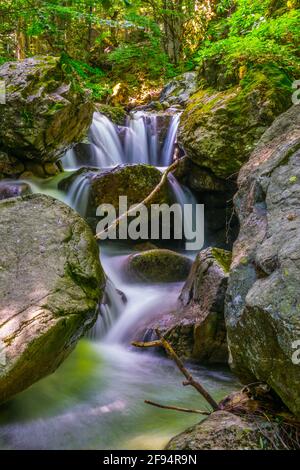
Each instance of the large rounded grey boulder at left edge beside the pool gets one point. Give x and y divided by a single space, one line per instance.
51 282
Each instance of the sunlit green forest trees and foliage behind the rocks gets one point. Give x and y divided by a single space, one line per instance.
141 44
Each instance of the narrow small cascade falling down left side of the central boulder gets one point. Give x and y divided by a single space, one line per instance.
78 194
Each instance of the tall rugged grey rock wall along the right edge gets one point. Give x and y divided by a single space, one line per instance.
262 308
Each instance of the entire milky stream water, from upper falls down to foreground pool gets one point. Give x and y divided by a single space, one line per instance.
95 400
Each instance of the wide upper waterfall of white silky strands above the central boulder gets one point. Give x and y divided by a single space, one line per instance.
137 142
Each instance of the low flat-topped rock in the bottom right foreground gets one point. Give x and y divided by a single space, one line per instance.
225 431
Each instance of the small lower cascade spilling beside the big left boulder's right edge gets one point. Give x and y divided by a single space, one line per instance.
110 311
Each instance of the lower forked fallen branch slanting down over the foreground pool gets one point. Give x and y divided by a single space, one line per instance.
190 380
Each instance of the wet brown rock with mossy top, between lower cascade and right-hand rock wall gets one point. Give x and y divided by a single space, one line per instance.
196 329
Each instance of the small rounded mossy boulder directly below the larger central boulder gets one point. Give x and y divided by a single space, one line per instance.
158 265
